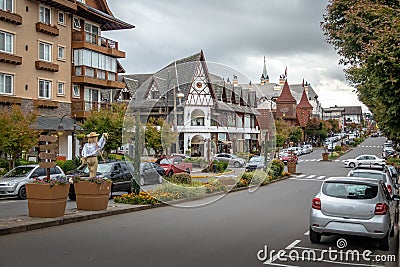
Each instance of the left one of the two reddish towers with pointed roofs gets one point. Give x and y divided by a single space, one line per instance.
286 104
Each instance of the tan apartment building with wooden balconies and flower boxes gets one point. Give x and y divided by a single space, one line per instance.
54 60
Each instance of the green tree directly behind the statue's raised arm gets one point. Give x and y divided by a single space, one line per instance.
107 121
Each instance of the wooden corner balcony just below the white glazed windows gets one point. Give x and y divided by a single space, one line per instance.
96 77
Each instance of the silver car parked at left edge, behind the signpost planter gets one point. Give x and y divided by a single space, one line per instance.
13 182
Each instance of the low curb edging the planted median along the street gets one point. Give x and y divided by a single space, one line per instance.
25 223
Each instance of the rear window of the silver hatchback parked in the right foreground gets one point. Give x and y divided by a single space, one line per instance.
350 190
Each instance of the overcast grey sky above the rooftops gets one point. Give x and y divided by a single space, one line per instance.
237 34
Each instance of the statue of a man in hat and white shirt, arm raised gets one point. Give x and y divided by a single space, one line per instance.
91 150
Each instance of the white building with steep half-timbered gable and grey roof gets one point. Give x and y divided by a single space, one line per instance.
210 115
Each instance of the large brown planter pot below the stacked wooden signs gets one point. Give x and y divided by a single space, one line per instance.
47 198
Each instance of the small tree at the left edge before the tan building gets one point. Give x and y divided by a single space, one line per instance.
16 133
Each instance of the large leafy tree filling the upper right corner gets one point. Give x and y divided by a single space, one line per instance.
366 34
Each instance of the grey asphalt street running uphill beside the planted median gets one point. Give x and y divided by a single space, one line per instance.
241 229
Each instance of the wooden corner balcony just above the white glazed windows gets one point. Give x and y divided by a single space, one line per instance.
81 40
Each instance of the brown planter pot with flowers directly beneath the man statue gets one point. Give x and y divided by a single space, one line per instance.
92 193
